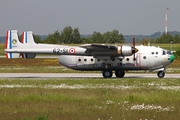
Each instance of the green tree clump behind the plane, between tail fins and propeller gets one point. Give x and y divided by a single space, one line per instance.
72 36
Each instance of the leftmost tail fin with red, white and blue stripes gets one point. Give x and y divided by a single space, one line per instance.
12 42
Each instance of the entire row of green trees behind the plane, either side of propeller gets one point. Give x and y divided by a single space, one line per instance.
72 36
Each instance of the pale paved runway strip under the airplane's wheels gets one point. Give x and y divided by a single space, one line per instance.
79 75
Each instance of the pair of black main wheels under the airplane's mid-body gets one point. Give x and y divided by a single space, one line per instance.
109 73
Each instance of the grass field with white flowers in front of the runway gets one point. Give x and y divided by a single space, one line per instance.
87 99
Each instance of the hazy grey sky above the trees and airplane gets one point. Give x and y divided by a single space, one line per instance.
127 16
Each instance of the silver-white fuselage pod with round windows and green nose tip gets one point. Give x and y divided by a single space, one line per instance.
147 58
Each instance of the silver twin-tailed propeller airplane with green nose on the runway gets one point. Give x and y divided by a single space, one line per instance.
93 57
